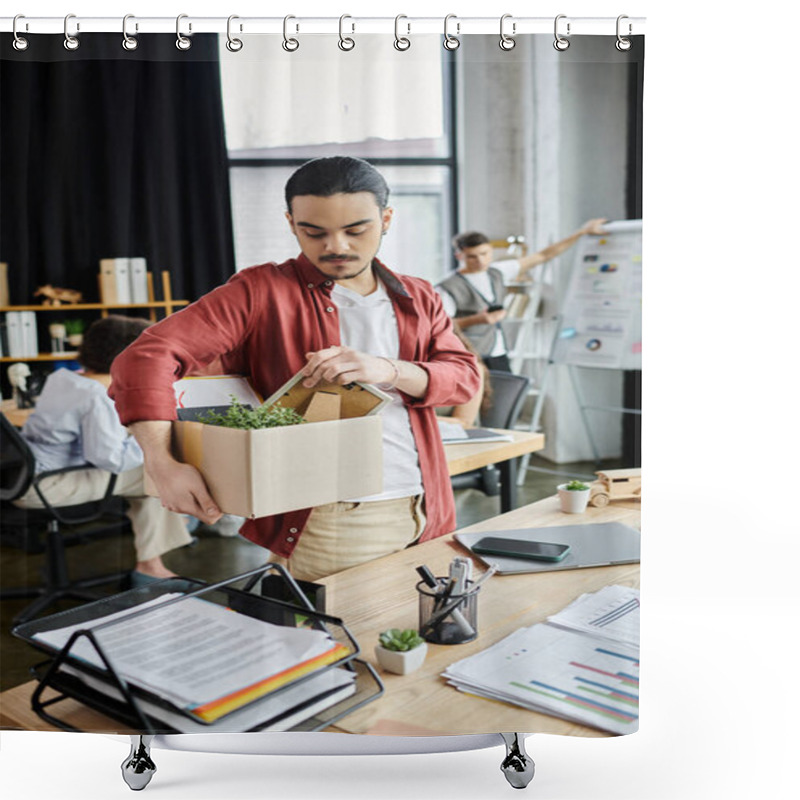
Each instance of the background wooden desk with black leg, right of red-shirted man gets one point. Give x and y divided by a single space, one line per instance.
466 457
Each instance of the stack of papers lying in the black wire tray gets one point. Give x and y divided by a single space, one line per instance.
209 664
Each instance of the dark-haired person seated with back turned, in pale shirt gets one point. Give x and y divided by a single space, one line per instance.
75 423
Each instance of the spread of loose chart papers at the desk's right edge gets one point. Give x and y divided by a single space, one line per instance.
582 664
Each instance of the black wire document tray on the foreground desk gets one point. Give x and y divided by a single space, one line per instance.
51 674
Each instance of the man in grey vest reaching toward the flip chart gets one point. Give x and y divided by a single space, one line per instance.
474 294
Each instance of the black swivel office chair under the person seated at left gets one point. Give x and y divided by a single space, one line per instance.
17 475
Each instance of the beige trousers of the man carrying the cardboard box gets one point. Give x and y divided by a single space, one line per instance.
341 535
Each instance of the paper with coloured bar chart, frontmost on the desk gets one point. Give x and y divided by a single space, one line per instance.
566 673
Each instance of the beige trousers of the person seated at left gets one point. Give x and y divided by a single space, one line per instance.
155 530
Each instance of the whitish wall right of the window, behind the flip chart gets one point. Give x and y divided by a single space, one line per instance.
543 148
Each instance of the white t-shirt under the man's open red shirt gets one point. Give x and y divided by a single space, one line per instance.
368 323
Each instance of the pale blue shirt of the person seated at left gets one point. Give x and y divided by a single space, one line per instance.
75 423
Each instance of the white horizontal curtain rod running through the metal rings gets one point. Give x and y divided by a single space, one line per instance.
453 25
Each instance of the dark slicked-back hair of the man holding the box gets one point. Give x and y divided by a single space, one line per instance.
324 177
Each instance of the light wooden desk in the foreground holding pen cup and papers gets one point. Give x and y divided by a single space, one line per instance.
381 594
